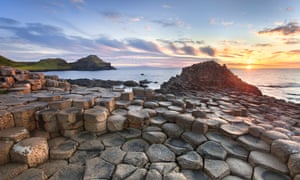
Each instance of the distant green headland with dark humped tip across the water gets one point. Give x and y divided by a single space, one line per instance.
89 63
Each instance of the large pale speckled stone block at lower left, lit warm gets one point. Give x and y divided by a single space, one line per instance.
32 151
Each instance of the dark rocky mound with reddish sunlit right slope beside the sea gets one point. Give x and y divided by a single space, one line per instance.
208 76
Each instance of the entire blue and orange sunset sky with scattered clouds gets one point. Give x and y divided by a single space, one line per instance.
164 33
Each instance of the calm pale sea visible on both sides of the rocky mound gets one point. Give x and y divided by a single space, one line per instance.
279 83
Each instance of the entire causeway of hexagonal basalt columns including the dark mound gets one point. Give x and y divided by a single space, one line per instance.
200 126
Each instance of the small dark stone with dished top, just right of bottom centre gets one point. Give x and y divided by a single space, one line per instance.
178 146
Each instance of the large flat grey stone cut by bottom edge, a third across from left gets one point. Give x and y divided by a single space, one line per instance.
98 168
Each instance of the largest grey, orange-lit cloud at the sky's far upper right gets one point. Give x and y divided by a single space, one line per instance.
291 28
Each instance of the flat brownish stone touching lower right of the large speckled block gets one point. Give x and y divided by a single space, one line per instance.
52 166
